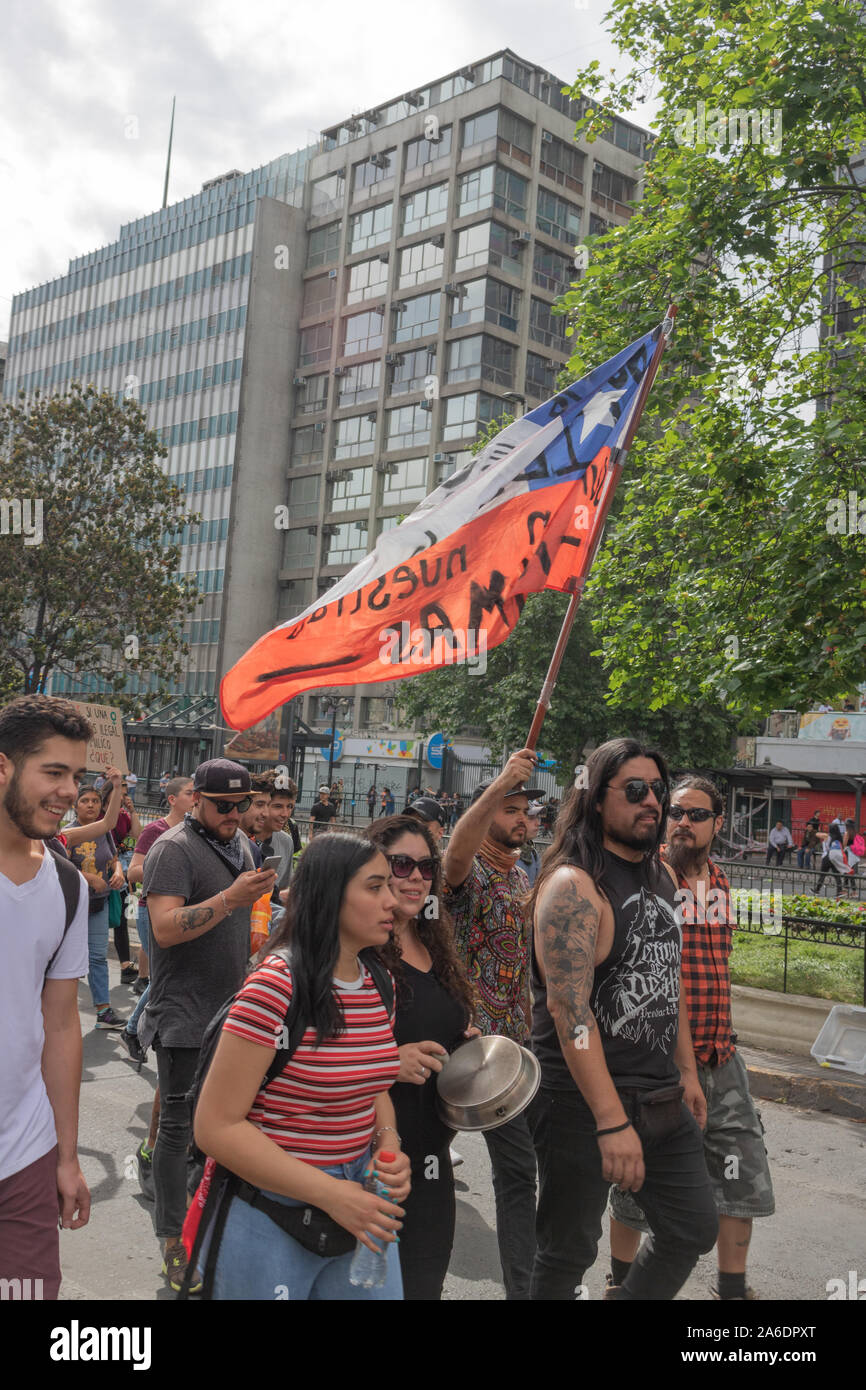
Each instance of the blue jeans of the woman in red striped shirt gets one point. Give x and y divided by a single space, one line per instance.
258 1260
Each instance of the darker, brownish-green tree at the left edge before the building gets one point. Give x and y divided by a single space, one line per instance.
90 558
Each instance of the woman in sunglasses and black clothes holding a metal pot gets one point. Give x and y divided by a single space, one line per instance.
434 1014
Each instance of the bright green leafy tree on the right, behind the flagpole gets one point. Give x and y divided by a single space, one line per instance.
730 573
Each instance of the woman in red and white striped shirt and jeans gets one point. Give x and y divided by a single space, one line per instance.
309 1138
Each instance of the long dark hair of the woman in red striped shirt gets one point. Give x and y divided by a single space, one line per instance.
311 926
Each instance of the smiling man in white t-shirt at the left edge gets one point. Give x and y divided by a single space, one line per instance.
44 953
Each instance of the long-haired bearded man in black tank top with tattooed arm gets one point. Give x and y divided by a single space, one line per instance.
621 1100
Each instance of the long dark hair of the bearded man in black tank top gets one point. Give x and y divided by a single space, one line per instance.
579 833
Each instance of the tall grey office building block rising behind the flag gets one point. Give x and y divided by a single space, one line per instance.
336 348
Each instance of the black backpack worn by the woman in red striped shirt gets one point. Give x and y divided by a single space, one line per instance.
224 1182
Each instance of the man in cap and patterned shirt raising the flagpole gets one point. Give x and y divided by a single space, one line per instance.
486 892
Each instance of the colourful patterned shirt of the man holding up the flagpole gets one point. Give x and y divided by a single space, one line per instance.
493 933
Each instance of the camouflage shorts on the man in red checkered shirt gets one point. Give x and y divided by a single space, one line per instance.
733 1147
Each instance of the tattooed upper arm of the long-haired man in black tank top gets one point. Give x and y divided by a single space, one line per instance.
568 926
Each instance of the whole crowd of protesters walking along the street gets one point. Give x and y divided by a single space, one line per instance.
301 1007
